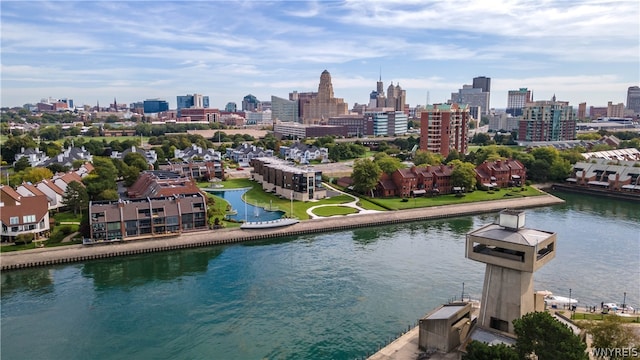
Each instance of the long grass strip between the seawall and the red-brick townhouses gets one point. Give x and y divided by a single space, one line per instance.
396 203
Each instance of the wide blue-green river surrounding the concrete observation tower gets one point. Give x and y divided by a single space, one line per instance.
336 295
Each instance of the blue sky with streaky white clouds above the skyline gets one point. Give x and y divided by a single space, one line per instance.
135 50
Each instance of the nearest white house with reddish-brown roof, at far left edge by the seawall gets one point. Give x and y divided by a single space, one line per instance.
22 214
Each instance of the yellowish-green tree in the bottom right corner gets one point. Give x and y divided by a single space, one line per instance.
611 334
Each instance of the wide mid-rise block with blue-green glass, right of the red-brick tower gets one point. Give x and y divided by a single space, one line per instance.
547 121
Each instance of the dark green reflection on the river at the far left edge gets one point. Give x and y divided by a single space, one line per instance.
36 279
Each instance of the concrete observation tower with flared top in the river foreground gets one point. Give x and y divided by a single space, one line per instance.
512 254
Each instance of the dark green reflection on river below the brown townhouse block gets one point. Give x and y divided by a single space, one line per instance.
134 271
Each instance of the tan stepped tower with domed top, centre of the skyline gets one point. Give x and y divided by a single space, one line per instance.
324 105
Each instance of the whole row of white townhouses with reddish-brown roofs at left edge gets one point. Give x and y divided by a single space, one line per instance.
25 209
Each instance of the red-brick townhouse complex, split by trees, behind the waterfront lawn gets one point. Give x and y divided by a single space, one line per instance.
420 181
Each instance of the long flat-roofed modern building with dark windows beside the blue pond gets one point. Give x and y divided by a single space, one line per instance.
286 180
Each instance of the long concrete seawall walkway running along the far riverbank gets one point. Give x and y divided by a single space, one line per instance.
78 253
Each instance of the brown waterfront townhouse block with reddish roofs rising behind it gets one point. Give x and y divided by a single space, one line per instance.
160 202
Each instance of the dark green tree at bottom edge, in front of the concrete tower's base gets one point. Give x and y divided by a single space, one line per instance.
548 338
